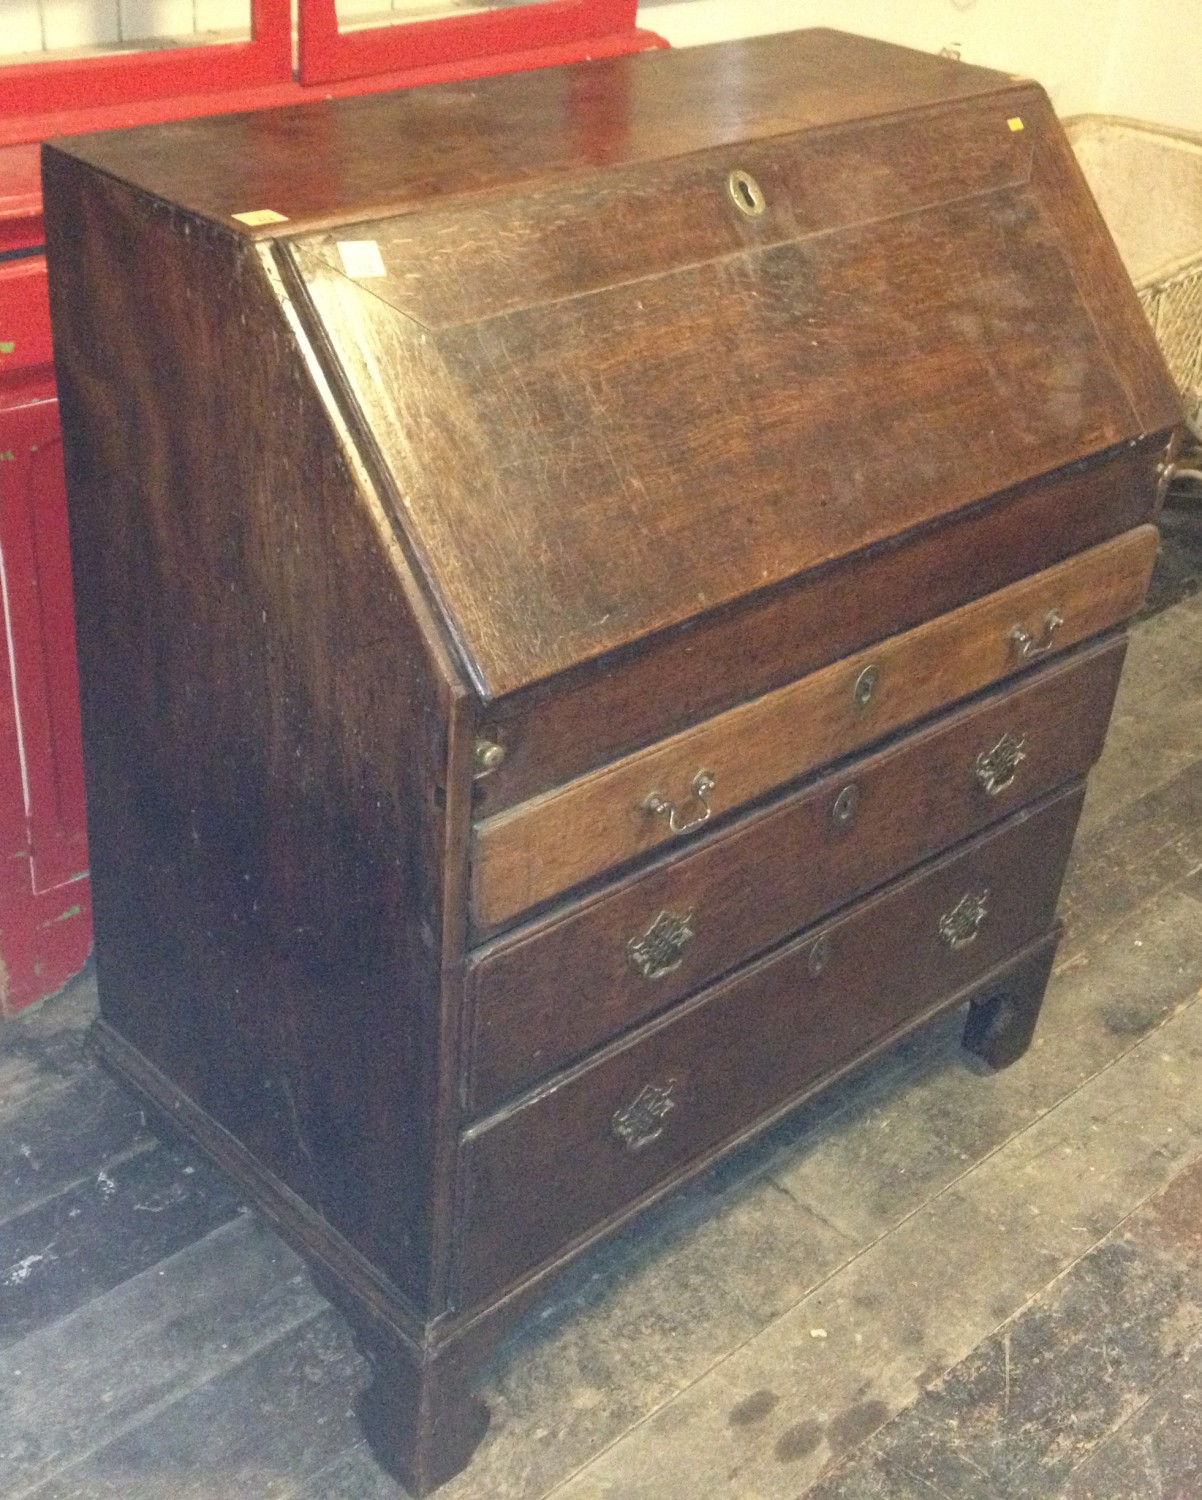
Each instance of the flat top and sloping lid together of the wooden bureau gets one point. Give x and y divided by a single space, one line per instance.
520 356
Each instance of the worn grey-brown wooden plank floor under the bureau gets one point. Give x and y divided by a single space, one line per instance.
928 1285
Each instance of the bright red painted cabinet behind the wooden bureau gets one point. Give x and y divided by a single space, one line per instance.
46 901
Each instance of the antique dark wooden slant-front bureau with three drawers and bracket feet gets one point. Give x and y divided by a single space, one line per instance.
598 595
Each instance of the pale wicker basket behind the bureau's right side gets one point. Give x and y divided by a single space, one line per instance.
1149 185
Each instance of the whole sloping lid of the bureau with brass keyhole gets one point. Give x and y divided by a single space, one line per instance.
694 487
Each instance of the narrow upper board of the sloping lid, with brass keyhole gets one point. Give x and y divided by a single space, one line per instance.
487 259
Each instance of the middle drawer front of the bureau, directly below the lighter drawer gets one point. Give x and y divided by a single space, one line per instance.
669 931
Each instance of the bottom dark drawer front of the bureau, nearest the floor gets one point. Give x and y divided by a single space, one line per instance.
599 1139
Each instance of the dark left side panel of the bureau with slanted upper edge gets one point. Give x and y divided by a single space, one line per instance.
266 725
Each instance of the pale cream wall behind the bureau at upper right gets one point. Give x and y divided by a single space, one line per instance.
1092 56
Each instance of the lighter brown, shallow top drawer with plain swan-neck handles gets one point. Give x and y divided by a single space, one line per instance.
542 848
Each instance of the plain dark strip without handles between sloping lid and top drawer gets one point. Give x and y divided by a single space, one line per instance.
603 712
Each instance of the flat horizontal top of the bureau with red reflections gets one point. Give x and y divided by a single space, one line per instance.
340 161
